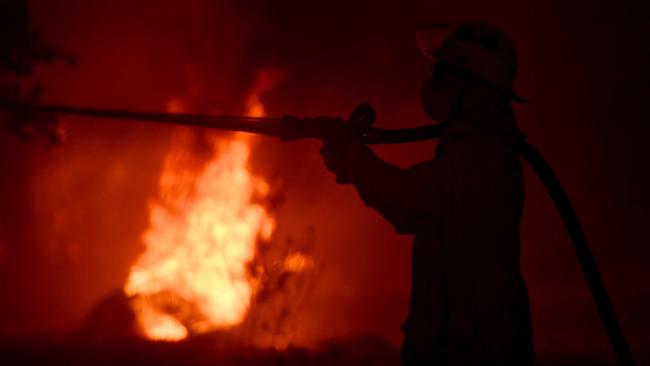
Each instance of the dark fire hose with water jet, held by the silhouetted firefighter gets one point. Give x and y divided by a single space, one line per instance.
361 120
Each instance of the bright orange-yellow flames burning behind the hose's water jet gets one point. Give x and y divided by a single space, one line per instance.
203 229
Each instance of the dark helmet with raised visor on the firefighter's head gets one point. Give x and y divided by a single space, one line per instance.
479 48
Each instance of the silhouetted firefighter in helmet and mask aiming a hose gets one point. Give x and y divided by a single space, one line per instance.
468 303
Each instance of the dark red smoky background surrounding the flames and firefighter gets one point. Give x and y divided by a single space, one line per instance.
71 215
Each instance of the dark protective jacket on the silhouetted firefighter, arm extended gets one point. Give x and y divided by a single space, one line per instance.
468 304
